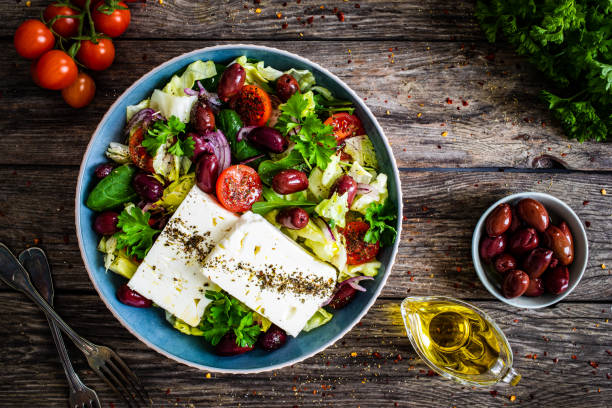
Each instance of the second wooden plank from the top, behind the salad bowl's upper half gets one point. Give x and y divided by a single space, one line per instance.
503 125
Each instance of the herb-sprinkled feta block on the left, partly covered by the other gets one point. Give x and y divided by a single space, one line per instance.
171 273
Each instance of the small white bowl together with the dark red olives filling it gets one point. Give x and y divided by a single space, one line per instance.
529 250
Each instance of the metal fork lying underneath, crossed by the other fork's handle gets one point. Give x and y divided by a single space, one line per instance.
35 262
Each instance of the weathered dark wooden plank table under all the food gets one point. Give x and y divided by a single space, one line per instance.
467 128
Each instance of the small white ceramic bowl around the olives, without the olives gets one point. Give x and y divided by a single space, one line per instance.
558 211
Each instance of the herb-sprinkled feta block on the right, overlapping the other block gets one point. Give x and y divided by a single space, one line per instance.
270 273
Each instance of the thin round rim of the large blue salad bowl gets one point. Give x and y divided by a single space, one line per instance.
355 99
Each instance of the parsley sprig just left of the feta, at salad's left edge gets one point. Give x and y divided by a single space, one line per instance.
136 235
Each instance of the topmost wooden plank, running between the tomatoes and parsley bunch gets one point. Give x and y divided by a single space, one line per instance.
235 19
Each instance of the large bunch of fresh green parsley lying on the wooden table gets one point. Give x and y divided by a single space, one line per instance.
570 41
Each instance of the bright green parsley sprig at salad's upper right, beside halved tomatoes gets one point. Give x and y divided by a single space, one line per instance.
314 140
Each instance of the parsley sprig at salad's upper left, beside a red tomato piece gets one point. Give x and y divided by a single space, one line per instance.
162 132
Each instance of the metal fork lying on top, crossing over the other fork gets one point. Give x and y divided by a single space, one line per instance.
105 362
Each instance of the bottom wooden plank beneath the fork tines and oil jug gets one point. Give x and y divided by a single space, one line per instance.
574 334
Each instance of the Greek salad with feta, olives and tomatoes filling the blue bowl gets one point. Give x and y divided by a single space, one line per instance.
246 202
